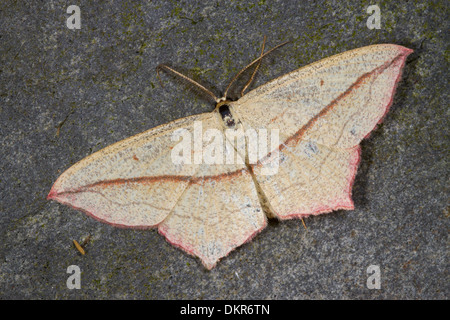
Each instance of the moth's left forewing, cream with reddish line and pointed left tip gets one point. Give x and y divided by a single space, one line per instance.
134 182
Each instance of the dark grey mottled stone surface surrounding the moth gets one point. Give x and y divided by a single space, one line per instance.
67 93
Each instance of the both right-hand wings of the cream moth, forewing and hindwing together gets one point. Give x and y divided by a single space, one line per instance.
322 112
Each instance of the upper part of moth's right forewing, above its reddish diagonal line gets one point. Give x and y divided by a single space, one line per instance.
292 100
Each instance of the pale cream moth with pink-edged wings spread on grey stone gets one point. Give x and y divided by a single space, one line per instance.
322 112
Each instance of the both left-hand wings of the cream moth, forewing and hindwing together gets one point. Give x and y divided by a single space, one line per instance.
205 208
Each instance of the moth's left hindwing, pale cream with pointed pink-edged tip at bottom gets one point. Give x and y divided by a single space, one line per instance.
215 214
